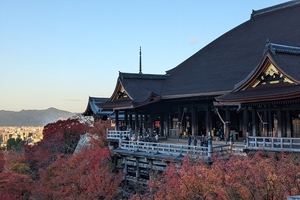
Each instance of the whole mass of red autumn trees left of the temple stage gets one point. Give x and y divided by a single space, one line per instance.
51 169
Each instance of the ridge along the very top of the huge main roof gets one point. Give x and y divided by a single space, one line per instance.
258 13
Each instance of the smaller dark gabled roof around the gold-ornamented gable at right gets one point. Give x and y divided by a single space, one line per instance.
287 60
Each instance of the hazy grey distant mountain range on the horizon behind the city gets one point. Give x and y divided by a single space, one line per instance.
32 117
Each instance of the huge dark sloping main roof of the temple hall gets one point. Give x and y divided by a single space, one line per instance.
231 57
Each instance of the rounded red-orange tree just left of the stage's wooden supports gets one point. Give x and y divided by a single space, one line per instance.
85 175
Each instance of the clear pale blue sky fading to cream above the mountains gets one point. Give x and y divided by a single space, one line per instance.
57 53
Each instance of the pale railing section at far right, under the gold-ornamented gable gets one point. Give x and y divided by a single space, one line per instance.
273 144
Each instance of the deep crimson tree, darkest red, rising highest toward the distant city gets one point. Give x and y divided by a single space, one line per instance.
58 138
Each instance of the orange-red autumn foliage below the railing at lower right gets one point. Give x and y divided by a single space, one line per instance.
264 175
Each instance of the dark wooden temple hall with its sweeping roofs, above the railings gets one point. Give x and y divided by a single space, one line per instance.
246 80
